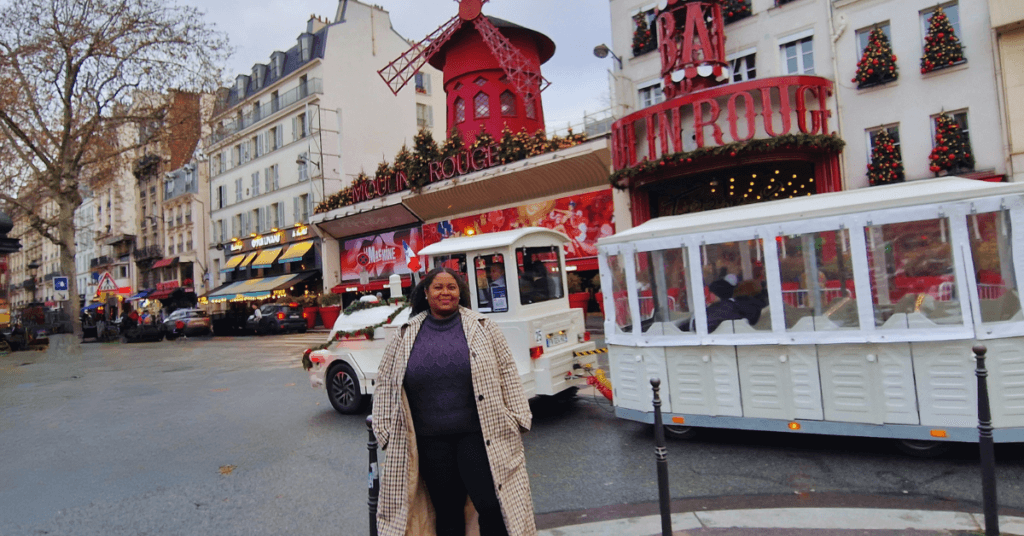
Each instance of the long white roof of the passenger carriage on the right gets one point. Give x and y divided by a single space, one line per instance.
837 203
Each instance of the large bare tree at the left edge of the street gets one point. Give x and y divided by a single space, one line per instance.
73 75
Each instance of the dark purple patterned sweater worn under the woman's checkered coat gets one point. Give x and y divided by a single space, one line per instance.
439 381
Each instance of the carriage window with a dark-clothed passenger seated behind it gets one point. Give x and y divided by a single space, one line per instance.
734 275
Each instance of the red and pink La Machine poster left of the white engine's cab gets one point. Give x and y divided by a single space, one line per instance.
377 257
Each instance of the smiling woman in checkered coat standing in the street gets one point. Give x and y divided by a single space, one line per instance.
449 410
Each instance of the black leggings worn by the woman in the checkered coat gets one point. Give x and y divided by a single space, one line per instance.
453 467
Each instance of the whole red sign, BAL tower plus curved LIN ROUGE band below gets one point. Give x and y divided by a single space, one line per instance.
700 108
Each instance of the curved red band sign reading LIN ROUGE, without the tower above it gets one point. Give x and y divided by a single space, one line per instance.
737 113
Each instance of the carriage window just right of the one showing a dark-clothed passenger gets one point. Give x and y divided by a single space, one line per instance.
818 281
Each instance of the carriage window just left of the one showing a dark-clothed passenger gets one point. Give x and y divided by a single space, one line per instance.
662 283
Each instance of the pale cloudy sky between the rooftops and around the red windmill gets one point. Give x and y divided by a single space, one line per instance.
579 80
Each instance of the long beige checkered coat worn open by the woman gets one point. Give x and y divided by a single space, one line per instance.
405 507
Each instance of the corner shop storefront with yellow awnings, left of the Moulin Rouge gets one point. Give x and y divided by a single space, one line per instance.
272 266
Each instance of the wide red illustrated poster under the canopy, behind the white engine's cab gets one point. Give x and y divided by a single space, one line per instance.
584 219
